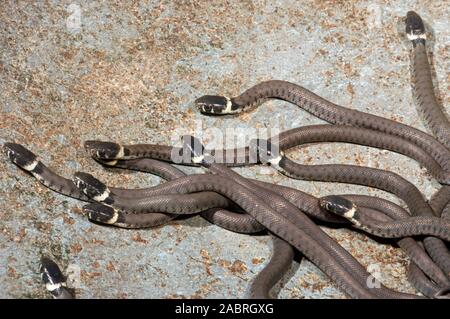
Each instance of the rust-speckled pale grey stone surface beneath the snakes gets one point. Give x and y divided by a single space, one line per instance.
72 71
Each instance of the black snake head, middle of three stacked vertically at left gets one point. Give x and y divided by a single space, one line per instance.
92 187
